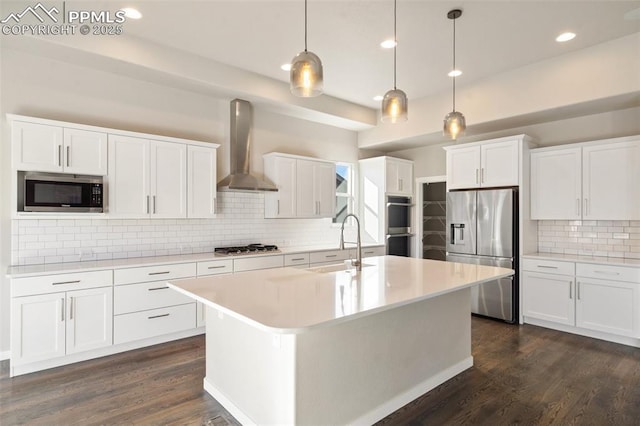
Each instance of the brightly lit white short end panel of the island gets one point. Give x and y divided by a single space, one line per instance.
250 371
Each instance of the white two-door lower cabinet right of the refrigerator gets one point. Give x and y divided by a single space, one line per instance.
600 298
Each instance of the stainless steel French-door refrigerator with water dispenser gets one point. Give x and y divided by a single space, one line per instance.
482 228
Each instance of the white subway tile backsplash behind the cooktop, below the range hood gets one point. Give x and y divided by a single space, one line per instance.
240 221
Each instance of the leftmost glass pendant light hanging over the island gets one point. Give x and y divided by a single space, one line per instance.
306 70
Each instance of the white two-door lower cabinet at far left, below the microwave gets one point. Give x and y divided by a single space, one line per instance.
51 325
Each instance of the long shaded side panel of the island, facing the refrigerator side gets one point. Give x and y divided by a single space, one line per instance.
360 371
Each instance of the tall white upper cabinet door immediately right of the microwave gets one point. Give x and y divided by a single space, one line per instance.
128 180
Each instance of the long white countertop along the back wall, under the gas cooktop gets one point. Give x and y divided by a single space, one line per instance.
23 271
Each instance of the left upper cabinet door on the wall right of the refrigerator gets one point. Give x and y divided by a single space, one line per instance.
556 184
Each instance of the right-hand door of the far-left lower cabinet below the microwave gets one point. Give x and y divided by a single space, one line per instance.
89 319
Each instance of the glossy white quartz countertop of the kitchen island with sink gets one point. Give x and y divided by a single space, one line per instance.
290 300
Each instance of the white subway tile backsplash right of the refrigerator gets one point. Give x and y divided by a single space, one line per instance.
609 238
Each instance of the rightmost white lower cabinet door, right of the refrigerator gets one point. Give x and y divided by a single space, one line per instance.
608 306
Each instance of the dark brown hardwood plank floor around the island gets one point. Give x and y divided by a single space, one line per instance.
522 375
